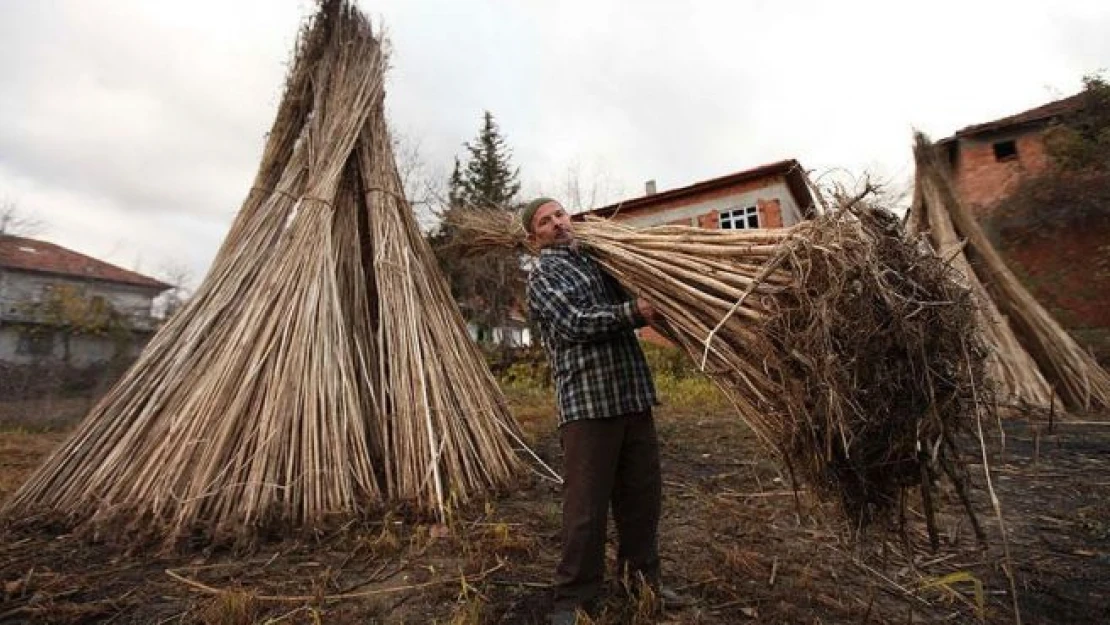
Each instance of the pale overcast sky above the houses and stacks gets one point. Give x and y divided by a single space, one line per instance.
133 128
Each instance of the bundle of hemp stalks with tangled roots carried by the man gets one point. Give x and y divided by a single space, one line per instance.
847 349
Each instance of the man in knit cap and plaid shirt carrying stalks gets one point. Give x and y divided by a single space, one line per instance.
606 397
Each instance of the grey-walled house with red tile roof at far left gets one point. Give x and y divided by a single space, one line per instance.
37 277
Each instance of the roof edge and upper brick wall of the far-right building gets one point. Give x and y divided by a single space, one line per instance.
990 159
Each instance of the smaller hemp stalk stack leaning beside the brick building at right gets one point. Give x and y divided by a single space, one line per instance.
1033 358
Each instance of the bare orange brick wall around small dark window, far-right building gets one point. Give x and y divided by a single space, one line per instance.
983 180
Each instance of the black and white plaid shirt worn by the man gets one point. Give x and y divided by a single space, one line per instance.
588 325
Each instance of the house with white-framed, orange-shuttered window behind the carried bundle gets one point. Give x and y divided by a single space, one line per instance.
772 196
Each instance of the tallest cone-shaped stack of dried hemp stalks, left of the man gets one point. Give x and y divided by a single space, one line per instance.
321 371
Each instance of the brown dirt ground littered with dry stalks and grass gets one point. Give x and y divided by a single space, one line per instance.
734 538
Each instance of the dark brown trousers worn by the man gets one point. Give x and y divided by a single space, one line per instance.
609 461
